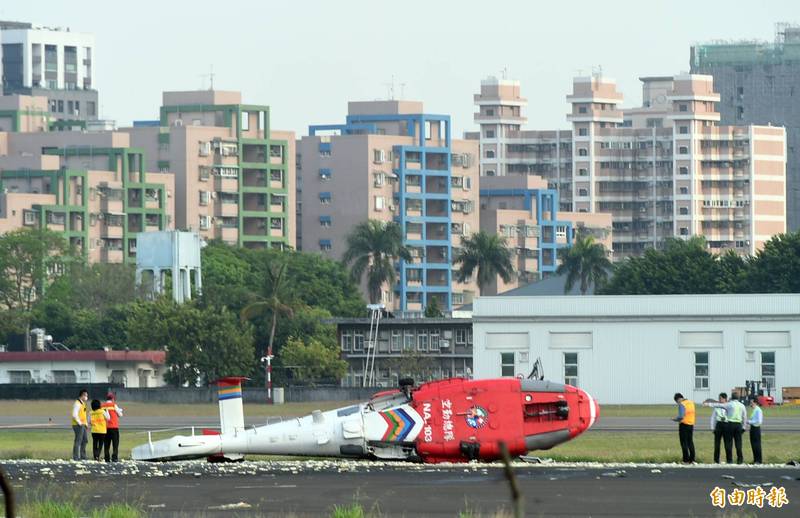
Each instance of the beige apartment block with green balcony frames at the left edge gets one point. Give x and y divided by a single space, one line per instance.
90 187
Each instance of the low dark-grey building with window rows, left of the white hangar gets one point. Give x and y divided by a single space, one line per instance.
424 349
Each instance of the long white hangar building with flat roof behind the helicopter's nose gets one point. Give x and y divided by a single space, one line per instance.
642 349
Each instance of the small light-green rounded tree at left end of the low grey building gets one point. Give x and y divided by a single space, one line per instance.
312 361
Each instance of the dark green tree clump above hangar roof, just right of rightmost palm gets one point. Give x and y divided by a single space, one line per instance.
681 267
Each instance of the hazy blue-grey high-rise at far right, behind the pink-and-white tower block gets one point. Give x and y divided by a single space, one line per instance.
759 83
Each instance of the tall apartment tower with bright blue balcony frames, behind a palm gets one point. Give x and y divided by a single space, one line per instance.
391 161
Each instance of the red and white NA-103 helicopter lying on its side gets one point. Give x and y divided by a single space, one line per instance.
452 420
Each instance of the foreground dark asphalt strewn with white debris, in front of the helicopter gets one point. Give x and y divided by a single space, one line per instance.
313 488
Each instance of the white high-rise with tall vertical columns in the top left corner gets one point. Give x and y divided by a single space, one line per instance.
54 63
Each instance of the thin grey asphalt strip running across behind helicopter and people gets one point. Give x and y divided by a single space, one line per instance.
611 424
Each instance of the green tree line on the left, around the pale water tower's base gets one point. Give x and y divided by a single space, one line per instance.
243 309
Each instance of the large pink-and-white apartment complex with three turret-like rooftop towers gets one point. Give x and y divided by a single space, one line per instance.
665 169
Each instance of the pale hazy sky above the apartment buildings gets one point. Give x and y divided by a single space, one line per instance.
306 59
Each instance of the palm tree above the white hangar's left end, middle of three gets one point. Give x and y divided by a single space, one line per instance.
486 253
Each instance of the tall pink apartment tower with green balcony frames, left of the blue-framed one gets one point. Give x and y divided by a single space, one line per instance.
234 175
